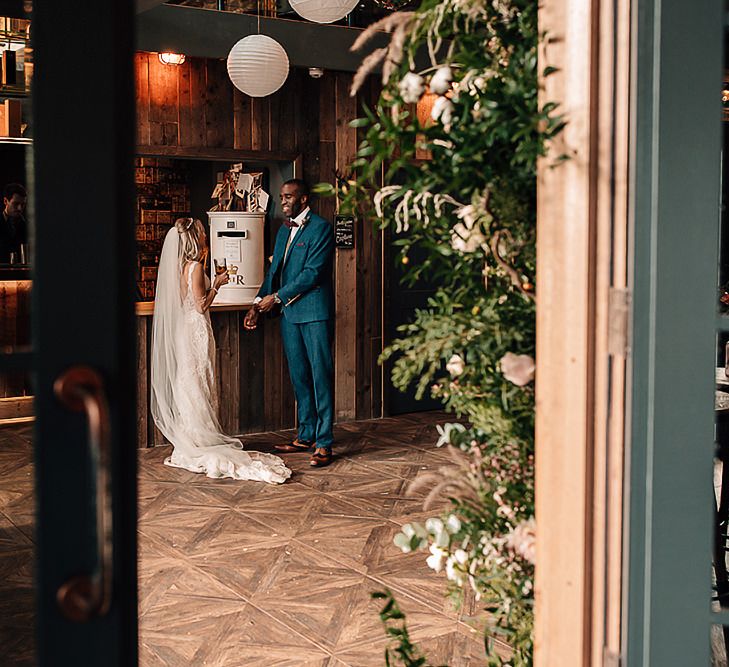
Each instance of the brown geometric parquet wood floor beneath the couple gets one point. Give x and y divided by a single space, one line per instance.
241 573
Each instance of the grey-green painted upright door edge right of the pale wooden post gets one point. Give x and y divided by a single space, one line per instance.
676 143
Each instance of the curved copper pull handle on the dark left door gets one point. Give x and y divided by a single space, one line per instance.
82 597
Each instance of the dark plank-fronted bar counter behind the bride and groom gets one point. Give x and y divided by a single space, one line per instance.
253 380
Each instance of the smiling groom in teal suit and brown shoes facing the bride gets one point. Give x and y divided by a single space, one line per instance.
299 280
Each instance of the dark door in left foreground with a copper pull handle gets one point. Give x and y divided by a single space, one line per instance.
83 358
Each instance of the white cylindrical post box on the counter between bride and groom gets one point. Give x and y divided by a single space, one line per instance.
236 246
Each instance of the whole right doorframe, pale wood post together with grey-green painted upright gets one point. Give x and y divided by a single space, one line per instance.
623 564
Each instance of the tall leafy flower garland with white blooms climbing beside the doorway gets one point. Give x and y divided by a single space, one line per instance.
470 209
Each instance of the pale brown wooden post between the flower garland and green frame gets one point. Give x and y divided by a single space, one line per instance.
581 335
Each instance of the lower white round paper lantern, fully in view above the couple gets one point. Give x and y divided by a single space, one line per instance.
258 65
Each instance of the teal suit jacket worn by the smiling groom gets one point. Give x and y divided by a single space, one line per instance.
303 279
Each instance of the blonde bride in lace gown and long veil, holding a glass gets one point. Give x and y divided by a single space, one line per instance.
184 398
